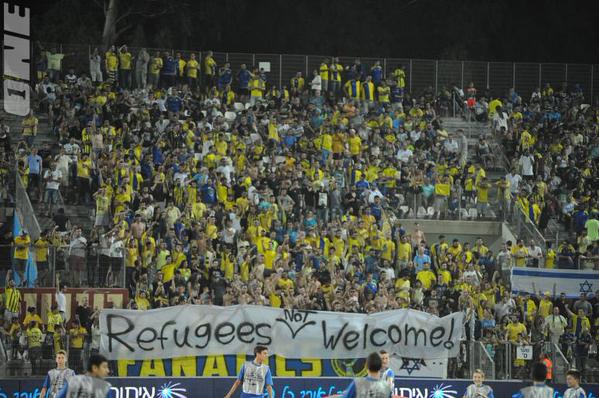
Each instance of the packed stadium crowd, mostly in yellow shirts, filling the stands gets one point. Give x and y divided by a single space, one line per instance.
214 186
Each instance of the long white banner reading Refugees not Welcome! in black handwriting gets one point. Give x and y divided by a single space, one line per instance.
195 330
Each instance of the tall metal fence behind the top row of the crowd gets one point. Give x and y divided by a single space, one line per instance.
421 75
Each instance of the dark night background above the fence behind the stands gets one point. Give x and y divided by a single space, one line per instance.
535 31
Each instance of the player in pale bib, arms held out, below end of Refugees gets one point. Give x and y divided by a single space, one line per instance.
254 377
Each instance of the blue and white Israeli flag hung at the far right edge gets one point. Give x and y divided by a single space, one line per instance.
570 282
